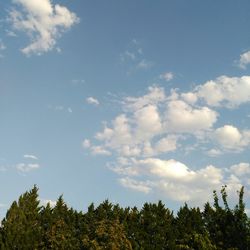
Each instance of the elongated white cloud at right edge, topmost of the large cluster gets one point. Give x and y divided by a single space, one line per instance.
225 91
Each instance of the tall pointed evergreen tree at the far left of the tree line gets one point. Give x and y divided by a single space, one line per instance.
21 227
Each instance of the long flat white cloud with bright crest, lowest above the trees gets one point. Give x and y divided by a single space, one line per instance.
177 181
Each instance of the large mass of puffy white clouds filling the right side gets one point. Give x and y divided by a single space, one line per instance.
146 136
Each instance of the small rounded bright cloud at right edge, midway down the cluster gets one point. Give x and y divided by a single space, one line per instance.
231 138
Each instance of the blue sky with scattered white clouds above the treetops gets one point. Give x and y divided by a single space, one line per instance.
131 101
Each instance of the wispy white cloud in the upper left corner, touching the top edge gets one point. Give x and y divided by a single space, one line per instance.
43 22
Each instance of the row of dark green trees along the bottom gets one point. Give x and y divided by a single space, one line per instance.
28 225
